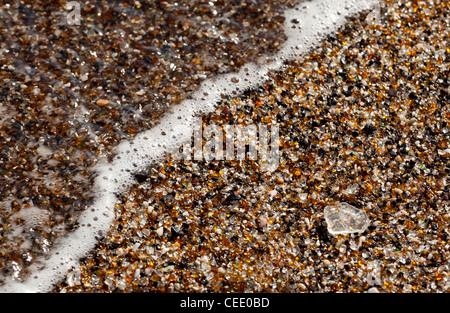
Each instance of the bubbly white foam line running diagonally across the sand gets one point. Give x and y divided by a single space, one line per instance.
315 20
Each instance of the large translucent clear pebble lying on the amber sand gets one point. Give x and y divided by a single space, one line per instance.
342 218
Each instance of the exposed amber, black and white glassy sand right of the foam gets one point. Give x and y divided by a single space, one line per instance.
363 119
